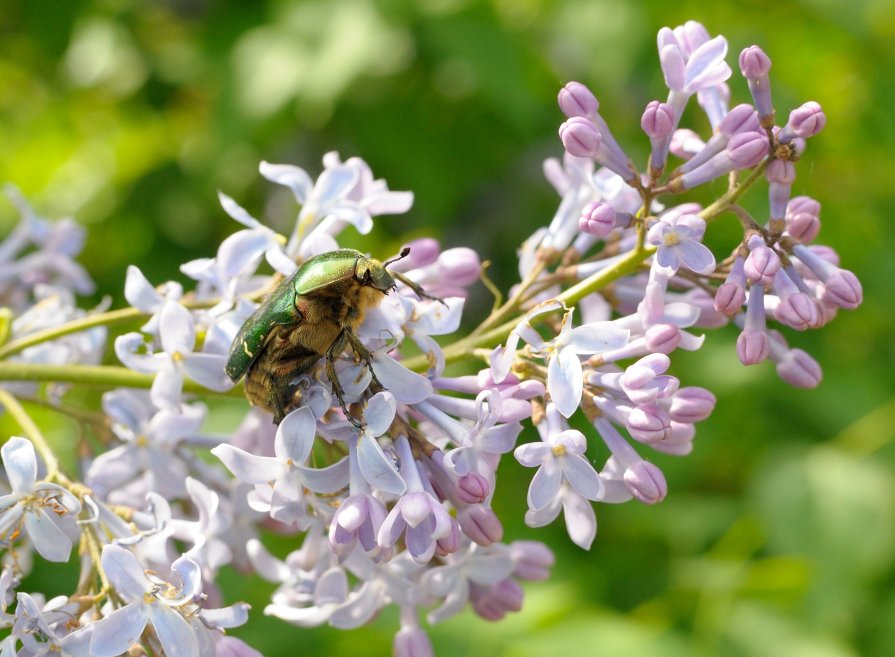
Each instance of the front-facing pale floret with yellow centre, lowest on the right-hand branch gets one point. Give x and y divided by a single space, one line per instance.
560 458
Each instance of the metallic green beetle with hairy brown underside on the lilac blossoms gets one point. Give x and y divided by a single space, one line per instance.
312 314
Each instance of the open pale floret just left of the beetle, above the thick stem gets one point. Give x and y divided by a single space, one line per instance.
177 333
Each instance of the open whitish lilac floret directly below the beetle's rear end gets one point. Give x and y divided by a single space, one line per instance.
281 480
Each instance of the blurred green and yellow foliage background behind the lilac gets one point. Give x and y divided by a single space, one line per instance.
778 535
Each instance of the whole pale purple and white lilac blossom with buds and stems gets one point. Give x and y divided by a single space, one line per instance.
392 506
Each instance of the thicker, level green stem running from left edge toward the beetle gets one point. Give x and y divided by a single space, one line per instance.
107 376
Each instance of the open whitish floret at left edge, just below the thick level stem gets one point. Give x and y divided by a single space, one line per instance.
38 507
